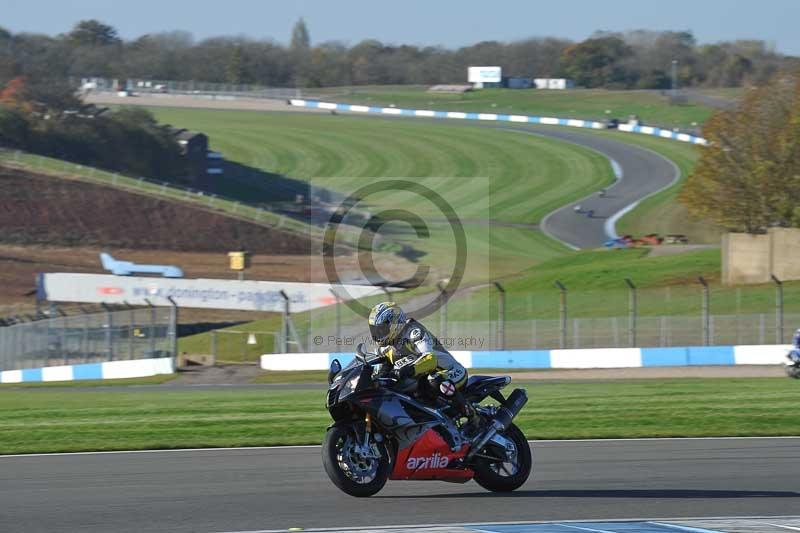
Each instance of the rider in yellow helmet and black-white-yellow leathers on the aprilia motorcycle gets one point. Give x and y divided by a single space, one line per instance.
415 353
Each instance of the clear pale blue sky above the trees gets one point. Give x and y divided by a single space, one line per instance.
436 22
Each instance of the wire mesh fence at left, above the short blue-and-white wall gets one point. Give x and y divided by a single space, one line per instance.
90 338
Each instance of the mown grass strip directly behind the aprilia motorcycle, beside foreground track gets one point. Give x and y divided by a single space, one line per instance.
61 421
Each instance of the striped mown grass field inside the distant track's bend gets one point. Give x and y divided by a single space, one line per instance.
526 173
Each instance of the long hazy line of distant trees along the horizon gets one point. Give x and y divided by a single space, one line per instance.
638 59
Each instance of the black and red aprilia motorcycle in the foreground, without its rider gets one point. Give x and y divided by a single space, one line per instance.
381 432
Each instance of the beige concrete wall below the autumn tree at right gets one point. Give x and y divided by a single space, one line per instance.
754 258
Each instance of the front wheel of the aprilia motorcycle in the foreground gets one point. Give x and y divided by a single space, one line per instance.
356 471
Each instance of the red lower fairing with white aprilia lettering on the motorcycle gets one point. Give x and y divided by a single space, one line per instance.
429 457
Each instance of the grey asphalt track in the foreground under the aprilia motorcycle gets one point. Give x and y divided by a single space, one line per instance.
252 489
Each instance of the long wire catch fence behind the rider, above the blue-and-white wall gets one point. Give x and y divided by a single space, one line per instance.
692 314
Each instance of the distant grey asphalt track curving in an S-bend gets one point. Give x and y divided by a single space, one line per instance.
643 173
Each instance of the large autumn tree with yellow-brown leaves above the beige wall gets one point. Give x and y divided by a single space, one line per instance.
748 177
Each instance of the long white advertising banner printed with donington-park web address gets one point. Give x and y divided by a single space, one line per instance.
206 293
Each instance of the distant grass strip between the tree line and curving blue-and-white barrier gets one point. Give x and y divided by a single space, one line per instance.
597 104
